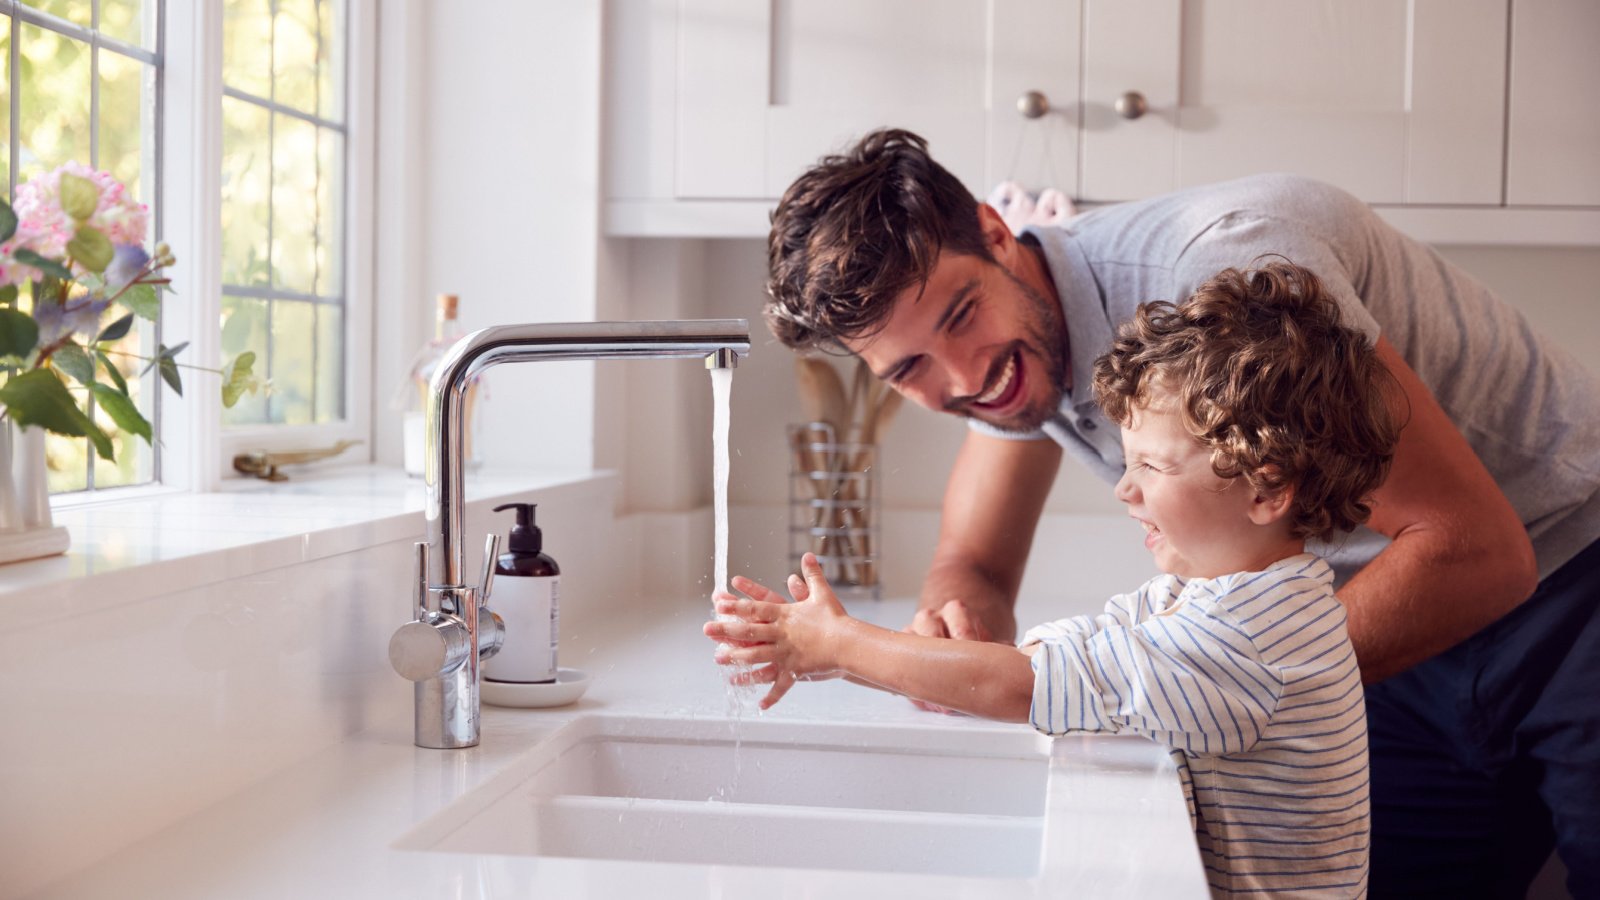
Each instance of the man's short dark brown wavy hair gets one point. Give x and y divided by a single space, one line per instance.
858 230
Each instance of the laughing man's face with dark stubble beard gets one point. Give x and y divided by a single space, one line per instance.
977 340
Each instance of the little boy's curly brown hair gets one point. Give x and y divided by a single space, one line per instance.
1263 374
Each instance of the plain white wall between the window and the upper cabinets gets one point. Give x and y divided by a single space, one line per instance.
490 172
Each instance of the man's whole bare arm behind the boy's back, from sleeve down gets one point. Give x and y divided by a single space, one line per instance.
1460 556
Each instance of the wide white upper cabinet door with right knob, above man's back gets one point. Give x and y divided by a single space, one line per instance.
1396 102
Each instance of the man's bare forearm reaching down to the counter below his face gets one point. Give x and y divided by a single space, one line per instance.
993 502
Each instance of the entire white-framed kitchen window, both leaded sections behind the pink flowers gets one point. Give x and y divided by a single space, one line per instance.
246 127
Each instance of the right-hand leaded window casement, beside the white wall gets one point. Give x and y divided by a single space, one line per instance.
287 163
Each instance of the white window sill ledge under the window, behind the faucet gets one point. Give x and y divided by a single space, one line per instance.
162 544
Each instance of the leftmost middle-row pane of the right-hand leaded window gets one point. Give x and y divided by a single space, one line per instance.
247 179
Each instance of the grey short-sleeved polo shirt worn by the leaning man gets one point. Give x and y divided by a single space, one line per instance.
1529 409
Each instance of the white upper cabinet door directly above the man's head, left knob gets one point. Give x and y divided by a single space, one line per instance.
767 87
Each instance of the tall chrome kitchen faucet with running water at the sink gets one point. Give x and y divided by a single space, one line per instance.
454 630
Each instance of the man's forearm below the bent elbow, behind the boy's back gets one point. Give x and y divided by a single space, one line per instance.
1426 593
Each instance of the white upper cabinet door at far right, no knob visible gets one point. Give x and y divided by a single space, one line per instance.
1554 150
